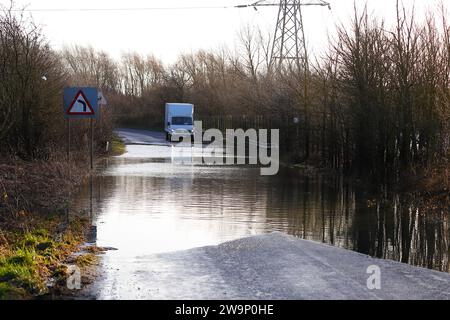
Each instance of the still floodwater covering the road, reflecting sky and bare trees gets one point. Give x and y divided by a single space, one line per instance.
148 201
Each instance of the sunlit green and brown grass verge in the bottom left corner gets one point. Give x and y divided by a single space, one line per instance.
30 258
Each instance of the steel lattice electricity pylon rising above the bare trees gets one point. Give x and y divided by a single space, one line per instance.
289 43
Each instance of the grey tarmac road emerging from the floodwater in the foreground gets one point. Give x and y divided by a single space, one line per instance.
271 266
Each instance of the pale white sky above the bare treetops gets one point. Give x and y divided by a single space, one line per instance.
166 33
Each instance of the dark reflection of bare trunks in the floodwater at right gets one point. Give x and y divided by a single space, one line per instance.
336 213
